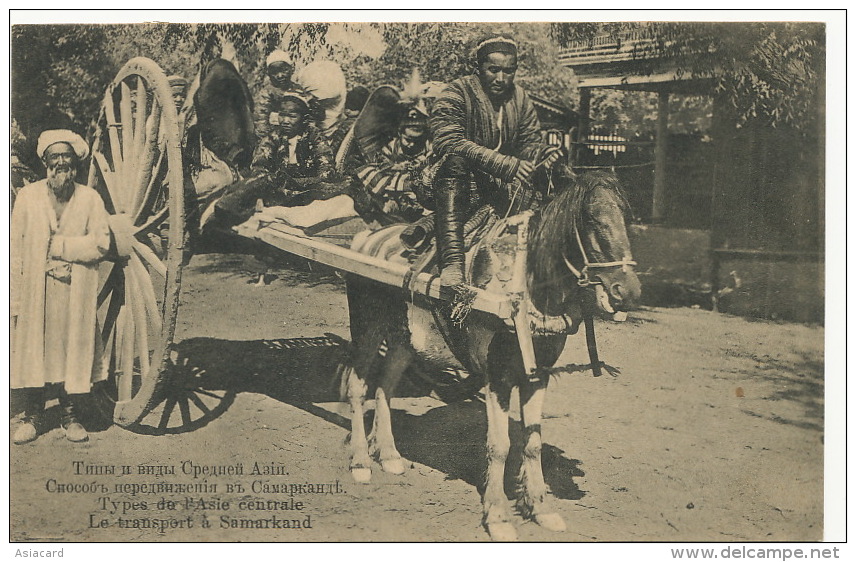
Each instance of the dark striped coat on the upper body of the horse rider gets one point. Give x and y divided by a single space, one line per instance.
463 122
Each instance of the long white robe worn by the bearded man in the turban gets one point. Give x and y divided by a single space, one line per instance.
72 354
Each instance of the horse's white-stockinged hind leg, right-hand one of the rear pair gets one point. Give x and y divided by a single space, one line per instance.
397 360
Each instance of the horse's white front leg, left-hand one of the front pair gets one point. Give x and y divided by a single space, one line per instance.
497 516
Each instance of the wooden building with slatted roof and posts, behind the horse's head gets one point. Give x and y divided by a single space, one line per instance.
764 185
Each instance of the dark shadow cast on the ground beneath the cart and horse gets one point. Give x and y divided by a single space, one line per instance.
304 372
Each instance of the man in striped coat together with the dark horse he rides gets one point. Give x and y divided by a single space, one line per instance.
556 267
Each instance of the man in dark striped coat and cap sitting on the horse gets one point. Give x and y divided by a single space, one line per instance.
486 134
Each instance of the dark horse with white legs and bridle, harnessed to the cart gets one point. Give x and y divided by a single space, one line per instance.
579 263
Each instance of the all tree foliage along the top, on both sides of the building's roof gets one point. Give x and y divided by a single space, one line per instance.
769 72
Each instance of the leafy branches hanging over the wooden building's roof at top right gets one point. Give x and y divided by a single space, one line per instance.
767 72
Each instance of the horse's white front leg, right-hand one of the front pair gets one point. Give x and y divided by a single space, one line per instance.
532 501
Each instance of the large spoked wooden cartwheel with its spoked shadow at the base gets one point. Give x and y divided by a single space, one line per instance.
137 168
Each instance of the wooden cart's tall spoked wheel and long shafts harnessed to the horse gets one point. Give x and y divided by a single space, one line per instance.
137 167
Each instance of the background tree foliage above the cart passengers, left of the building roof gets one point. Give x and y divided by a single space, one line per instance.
60 72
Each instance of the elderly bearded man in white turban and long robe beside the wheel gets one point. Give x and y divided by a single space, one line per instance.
59 233
